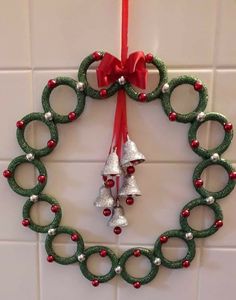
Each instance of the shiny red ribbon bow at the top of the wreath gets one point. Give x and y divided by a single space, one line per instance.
134 70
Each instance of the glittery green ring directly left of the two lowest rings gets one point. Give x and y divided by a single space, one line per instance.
60 259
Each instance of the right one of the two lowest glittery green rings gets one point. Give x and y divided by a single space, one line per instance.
143 280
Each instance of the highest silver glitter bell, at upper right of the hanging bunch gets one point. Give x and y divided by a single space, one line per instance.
131 154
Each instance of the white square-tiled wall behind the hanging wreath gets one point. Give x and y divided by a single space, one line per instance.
44 39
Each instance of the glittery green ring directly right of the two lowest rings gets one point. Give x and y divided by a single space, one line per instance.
178 263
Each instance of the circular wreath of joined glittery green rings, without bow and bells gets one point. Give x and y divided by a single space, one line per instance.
209 157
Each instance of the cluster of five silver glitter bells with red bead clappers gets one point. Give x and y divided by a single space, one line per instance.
123 168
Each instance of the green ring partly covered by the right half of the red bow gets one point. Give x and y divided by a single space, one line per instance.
159 64
